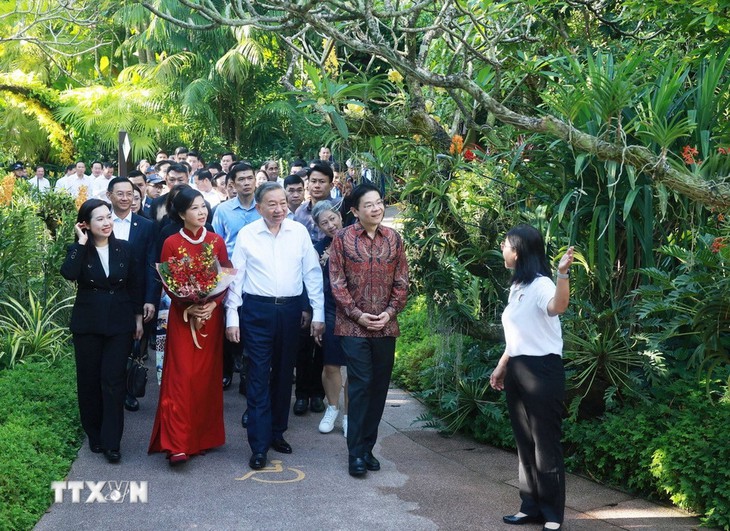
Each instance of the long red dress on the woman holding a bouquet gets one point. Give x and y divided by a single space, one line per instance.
189 415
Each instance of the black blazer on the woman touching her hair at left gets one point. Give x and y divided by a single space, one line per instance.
104 305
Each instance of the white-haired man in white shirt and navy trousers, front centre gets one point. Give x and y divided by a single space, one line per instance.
274 257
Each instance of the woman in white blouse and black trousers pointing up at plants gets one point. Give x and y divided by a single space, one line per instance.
531 372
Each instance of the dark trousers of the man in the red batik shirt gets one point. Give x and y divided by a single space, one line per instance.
369 366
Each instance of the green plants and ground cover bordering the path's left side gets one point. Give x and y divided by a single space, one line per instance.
39 427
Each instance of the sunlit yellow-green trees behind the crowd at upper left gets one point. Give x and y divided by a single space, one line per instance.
121 68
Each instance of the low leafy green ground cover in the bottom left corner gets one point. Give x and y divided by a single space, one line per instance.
40 434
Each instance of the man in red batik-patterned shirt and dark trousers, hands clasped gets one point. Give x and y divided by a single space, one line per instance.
369 278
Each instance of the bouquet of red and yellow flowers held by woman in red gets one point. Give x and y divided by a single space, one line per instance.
195 279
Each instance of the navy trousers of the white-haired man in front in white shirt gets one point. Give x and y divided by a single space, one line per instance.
271 344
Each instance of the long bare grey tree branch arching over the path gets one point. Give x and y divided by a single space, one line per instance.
360 30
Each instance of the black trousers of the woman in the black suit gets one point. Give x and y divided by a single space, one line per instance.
101 364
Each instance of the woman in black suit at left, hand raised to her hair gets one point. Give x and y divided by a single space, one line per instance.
106 317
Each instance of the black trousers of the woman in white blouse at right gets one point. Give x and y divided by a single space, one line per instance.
535 387
